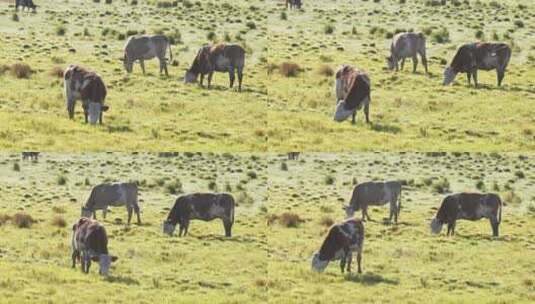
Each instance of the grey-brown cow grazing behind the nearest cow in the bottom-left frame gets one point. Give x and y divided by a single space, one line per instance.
117 194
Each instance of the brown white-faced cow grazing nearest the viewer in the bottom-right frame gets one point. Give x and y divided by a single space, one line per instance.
341 241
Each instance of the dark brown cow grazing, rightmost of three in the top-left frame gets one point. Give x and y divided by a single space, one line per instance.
218 58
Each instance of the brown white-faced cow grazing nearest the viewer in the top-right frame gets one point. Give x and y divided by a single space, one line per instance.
352 93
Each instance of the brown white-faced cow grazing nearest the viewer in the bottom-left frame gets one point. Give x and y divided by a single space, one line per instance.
90 243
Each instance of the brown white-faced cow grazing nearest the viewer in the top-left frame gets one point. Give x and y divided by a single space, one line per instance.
81 84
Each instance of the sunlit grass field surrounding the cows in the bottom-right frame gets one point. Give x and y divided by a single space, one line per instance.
403 263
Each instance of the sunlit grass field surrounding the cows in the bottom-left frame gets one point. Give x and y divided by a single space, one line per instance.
203 267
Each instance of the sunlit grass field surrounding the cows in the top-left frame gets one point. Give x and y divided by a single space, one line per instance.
149 112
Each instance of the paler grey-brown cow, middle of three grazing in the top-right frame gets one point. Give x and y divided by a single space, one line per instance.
407 45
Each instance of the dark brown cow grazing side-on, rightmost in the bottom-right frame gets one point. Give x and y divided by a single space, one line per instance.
468 206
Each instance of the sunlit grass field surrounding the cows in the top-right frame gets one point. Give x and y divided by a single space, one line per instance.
409 112
